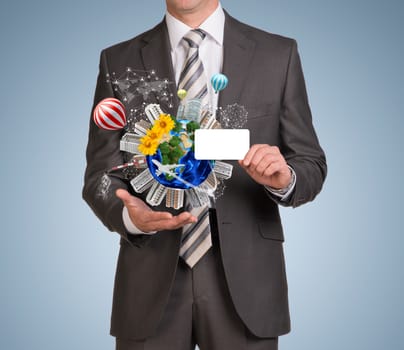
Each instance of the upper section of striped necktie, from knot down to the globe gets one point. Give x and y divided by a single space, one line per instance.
193 78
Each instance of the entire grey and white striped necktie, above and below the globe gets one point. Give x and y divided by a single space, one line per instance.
196 238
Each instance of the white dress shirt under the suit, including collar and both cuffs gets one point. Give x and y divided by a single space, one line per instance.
211 55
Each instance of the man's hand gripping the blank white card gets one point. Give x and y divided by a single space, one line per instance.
266 165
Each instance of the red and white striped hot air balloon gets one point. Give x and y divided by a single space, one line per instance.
109 114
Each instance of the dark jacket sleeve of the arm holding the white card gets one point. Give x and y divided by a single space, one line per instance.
299 143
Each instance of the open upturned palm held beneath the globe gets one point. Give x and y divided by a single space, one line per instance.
147 220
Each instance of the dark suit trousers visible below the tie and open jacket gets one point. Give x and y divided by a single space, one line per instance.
200 311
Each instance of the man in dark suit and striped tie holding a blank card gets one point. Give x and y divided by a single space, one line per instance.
214 278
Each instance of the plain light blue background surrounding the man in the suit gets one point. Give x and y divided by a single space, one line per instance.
344 251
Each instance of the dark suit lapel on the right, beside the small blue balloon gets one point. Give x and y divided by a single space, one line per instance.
237 55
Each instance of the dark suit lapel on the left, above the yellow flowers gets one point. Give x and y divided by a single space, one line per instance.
156 55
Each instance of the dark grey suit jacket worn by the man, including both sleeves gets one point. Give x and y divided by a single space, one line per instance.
266 77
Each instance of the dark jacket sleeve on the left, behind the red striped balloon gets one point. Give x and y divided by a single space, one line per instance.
102 154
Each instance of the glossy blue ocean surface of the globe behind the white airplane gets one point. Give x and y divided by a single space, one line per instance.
194 171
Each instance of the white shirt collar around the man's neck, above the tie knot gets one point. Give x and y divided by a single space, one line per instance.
213 26
